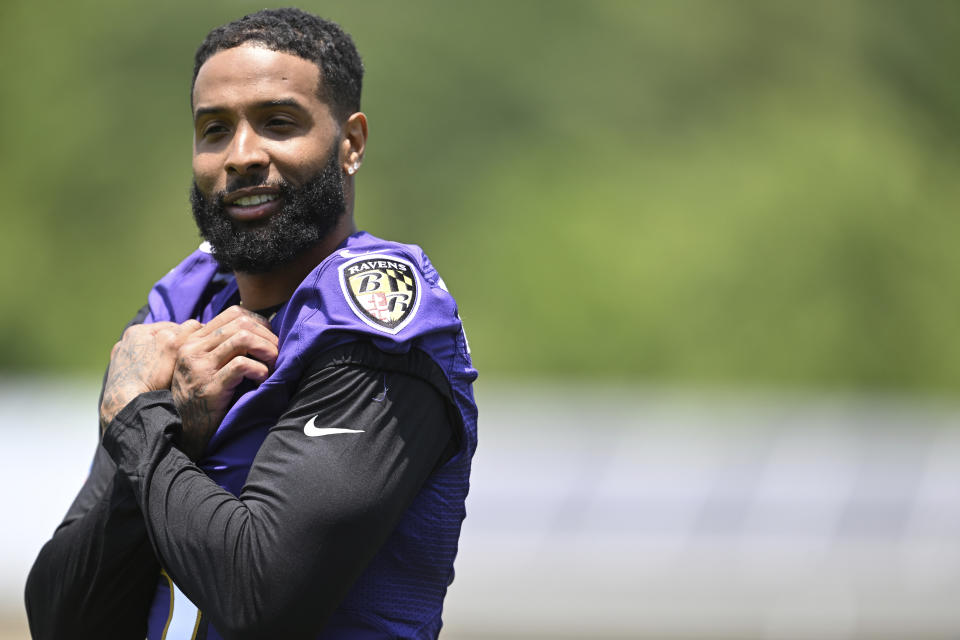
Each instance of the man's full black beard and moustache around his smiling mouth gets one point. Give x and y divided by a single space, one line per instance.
306 215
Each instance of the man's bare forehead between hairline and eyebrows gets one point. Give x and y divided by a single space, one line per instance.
251 73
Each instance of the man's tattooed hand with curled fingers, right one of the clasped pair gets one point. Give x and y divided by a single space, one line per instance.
237 344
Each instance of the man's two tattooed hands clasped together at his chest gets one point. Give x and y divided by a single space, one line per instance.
200 364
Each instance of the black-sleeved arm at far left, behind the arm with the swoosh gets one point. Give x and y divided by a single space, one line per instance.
96 575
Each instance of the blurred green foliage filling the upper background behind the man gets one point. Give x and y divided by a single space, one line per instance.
694 192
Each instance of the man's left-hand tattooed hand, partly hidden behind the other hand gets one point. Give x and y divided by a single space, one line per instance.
142 361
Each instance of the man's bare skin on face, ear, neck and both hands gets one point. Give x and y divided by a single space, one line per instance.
257 118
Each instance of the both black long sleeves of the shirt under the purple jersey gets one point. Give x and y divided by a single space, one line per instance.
277 558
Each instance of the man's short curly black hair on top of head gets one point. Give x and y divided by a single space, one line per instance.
302 34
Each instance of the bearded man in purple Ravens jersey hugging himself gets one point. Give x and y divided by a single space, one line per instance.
287 426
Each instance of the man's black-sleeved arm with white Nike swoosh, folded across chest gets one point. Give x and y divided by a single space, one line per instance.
277 559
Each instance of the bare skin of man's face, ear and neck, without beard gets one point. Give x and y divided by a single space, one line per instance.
240 136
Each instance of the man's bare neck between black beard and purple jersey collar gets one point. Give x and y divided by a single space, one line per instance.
262 290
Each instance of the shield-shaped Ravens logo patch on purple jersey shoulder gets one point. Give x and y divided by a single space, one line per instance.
383 291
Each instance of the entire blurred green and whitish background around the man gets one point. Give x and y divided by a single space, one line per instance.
704 252
